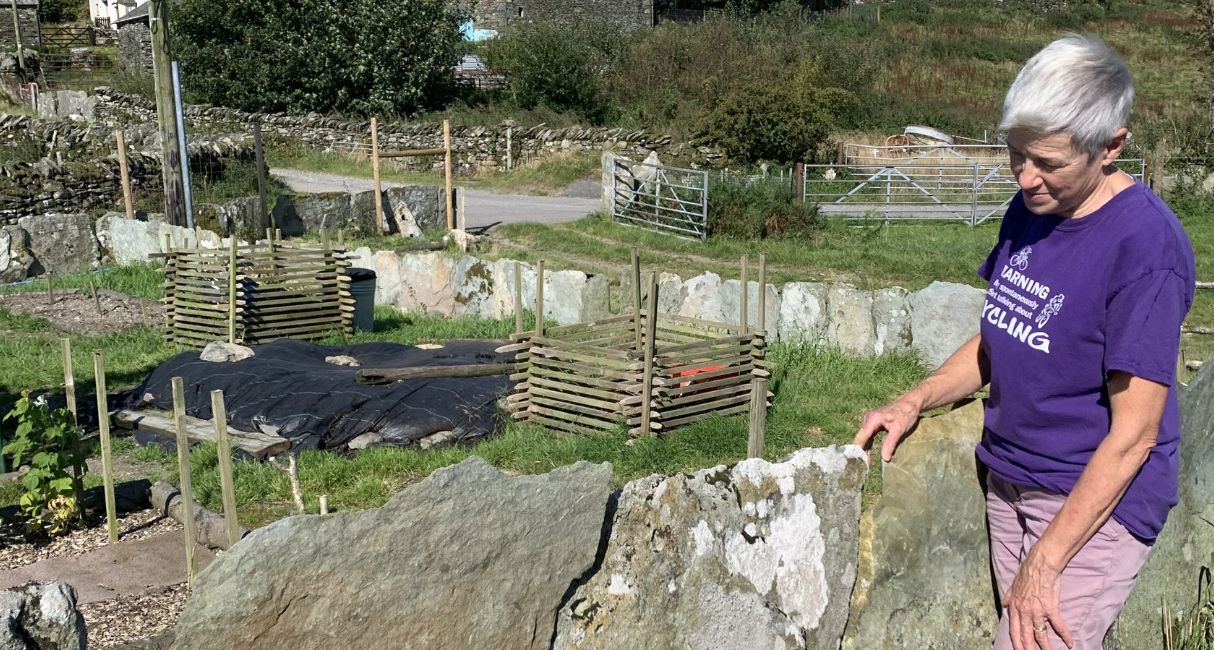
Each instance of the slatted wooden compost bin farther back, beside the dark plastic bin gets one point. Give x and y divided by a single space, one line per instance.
257 295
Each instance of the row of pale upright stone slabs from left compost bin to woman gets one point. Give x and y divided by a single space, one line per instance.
934 321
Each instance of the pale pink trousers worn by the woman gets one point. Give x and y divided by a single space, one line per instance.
1096 584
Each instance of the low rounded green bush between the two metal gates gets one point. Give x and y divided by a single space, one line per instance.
763 208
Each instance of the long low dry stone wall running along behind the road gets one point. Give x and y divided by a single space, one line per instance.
475 148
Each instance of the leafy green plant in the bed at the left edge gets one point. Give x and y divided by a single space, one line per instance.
49 442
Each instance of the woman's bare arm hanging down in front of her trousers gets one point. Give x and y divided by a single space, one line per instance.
1137 409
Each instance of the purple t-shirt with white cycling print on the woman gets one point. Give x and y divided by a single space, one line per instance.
1069 302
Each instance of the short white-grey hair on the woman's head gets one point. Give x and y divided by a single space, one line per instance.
1075 86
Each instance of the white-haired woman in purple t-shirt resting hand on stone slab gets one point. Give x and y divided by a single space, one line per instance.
1088 286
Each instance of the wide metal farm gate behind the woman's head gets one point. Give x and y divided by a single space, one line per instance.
965 183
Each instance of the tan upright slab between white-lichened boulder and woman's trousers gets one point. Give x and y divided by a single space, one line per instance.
924 568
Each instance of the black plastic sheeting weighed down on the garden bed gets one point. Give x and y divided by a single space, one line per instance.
290 387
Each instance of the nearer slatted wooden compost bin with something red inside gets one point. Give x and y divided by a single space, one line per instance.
650 375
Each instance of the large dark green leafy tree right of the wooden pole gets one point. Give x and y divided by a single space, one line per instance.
350 56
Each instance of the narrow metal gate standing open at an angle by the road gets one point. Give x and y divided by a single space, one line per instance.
660 197
